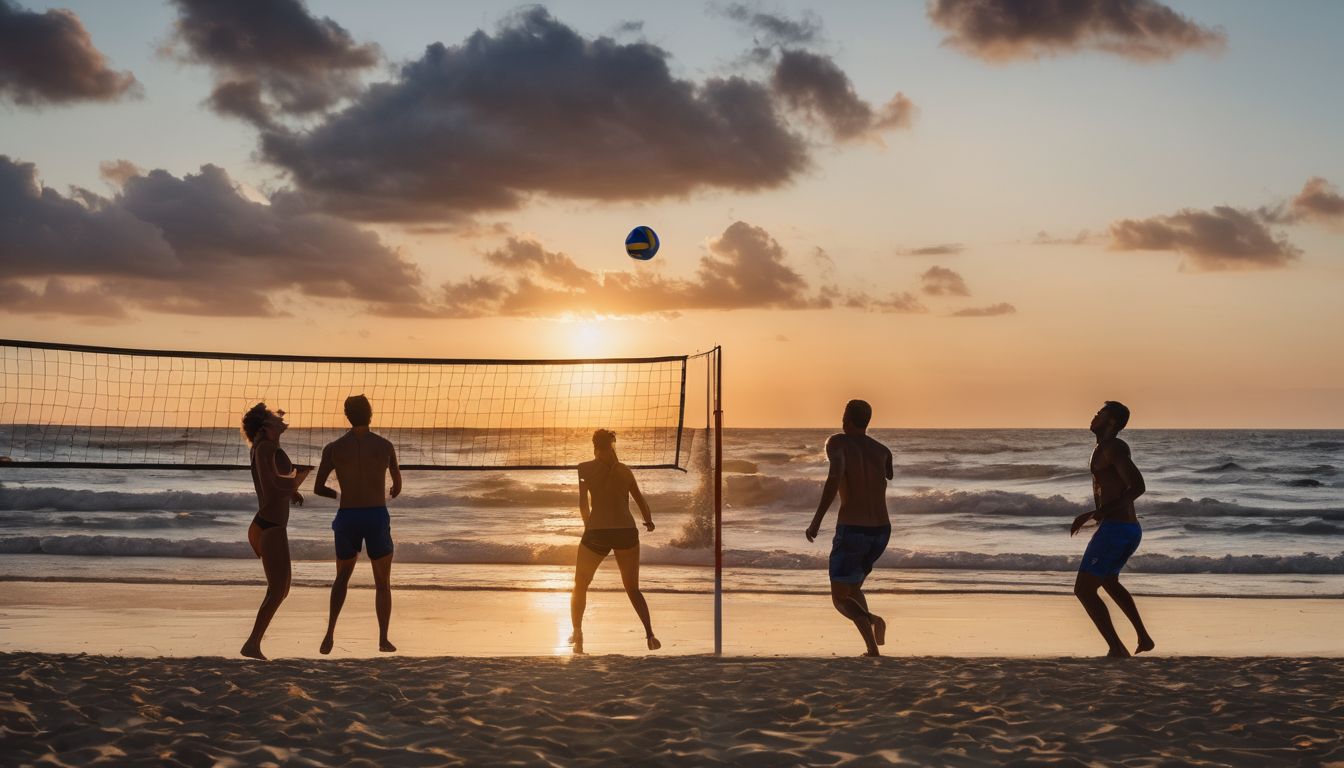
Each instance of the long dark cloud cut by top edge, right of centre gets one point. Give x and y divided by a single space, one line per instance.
1007 30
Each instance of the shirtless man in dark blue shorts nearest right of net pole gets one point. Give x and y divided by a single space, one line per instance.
859 471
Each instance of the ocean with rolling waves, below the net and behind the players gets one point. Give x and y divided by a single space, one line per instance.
1228 513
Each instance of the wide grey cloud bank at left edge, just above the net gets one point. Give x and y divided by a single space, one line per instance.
190 245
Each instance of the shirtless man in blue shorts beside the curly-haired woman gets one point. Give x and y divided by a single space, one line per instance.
362 462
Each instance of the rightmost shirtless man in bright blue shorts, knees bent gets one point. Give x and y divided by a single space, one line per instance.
1116 485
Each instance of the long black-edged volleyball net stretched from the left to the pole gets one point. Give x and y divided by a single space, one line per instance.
68 406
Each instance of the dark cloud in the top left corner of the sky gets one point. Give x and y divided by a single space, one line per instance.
49 59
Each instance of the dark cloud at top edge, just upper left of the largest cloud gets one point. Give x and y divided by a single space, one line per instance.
271 57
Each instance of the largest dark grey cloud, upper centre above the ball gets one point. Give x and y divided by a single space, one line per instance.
536 108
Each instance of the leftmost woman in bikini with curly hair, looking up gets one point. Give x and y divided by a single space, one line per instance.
276 481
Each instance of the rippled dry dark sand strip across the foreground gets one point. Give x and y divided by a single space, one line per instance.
691 711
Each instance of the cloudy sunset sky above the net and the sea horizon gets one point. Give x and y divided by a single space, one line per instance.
970 213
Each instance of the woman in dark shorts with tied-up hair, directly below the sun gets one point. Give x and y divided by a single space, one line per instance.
605 492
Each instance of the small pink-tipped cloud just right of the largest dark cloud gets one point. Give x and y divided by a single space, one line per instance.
815 85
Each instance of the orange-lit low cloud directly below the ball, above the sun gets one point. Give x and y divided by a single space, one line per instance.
744 270
